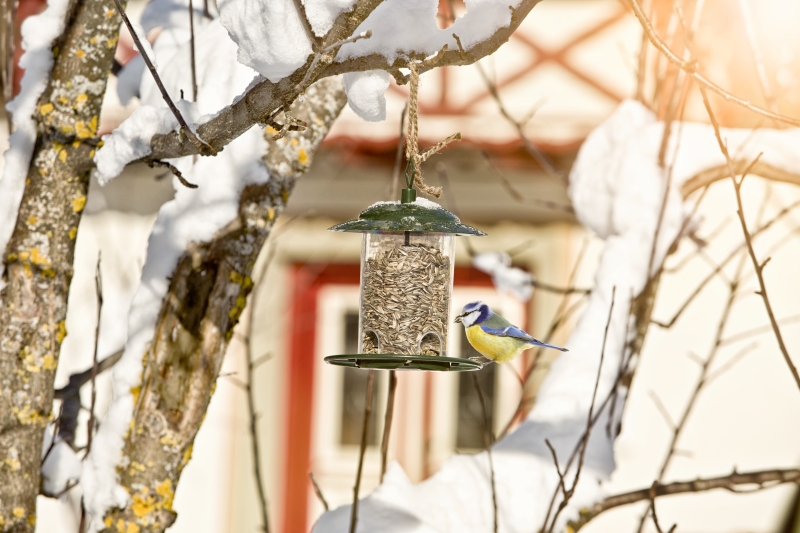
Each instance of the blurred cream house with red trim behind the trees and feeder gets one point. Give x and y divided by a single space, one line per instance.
523 113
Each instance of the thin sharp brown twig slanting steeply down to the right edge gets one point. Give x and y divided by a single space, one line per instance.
758 266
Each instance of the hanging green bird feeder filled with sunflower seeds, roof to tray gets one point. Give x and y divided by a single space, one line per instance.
407 265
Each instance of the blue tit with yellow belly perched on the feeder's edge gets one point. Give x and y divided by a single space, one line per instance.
493 336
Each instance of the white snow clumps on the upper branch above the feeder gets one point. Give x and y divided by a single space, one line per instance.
272 40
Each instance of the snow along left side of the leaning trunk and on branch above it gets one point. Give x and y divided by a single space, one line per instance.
194 215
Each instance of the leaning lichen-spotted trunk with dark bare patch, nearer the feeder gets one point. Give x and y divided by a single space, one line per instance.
207 294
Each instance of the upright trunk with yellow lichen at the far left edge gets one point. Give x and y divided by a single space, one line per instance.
39 255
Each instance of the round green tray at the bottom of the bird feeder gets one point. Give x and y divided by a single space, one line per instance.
405 362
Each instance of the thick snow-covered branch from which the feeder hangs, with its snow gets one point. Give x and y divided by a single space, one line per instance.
286 76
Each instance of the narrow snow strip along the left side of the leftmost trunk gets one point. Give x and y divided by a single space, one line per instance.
38 34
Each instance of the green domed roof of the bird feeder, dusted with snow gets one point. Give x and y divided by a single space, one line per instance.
419 216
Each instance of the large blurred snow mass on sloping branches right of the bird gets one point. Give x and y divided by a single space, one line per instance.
617 189
